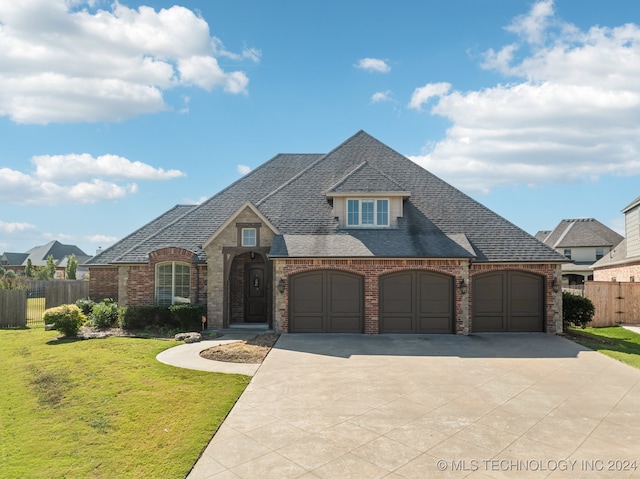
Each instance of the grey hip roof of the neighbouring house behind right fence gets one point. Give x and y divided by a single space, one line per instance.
581 232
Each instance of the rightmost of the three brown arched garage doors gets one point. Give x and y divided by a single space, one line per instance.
508 301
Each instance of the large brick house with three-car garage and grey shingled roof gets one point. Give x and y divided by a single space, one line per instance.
360 239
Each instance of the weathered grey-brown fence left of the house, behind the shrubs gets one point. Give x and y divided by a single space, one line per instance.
21 308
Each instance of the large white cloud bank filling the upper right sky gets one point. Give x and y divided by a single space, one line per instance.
573 113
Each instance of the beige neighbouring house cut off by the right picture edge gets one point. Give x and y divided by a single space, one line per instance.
623 262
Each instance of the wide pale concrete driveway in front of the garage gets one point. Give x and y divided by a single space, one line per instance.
392 406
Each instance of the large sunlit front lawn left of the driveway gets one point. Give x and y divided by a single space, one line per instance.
103 408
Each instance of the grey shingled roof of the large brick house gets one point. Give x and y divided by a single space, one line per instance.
293 191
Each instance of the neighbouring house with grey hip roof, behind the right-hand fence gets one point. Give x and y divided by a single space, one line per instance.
584 241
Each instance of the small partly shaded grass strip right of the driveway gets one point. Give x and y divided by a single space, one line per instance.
617 342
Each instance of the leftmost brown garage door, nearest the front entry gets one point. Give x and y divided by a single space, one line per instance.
326 301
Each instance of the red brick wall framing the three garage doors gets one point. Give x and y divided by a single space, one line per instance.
372 269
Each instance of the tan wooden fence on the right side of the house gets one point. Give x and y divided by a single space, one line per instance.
615 303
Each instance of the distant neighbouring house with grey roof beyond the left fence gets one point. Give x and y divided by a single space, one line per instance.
39 254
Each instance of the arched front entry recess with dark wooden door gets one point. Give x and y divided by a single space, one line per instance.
249 289
